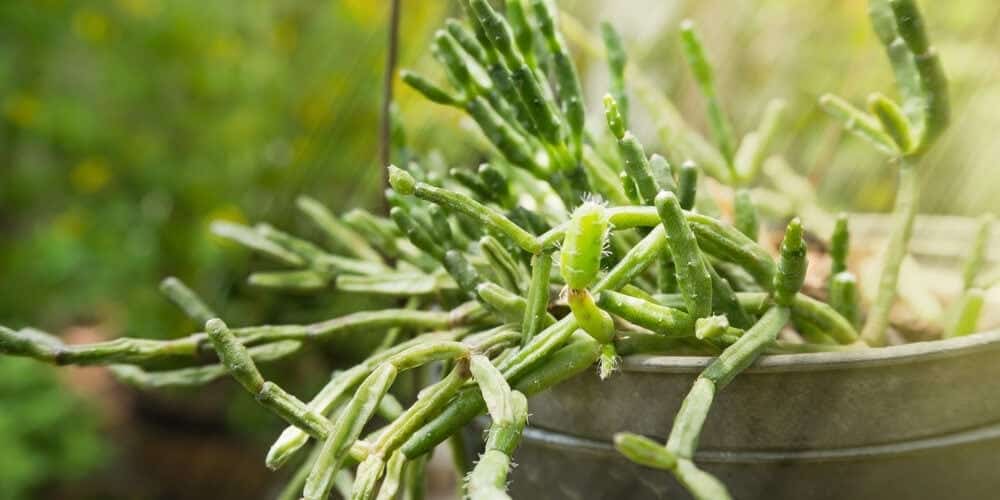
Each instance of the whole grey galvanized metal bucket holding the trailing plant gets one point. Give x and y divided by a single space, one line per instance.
913 421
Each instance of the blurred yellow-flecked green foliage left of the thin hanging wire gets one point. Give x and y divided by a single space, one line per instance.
126 126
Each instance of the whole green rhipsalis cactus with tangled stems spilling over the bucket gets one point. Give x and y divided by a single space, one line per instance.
485 261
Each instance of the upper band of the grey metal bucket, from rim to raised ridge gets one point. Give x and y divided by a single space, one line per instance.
796 401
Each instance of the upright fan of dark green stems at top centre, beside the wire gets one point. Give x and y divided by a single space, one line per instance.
498 70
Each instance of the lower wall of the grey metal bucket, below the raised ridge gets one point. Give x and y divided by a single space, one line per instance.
956 467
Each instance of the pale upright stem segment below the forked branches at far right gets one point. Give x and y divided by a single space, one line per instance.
904 214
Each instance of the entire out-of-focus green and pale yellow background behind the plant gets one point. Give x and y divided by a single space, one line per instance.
127 126
